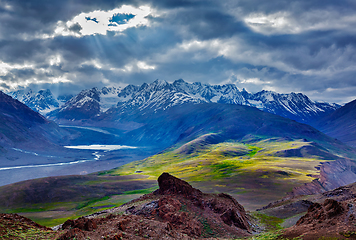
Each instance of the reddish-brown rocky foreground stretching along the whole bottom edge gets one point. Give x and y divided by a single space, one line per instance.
178 211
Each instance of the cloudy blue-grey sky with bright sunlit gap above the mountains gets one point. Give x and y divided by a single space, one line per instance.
279 45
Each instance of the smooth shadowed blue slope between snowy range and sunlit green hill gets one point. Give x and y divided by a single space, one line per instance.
188 121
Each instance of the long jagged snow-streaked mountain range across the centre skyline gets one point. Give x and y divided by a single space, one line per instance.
161 95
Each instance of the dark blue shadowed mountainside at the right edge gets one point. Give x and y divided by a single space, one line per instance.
340 124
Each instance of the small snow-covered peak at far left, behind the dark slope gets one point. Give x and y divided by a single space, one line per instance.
42 101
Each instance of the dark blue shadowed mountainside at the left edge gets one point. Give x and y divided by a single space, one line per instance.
22 127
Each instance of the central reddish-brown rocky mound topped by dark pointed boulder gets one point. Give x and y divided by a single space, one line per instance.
175 211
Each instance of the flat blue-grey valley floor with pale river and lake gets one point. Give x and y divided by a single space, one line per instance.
70 160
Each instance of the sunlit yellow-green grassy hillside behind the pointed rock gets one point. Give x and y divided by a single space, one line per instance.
255 173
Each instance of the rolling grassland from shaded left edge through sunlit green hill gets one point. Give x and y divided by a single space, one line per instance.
255 171
